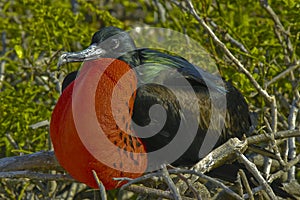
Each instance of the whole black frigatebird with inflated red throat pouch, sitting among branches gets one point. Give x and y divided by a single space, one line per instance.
196 104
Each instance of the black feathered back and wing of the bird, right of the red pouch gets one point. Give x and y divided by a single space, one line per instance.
220 112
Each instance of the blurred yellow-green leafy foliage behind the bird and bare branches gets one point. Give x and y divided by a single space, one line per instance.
34 33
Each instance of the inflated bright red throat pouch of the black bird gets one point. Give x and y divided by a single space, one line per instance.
91 125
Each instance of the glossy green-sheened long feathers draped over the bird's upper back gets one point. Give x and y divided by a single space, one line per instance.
155 64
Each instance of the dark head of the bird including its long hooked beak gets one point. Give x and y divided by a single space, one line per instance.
108 42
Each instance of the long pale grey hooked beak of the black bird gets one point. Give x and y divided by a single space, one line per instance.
91 53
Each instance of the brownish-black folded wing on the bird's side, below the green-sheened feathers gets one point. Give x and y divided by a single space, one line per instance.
188 119
